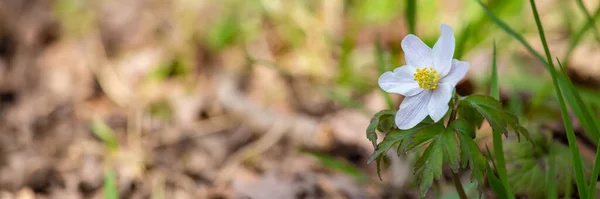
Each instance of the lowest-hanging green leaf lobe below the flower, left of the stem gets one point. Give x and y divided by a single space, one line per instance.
429 166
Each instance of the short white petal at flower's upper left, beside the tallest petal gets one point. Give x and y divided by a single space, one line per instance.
416 53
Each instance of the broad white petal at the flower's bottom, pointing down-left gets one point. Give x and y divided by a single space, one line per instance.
413 110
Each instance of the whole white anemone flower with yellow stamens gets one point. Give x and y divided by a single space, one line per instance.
427 80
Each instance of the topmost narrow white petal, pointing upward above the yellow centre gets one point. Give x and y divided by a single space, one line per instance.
443 50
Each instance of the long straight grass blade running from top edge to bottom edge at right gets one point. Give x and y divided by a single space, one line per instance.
579 175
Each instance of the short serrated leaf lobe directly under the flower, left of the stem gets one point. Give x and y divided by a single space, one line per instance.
451 149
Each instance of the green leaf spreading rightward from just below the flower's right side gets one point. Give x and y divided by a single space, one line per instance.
491 110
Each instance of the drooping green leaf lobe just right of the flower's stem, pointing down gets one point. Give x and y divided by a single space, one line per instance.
471 155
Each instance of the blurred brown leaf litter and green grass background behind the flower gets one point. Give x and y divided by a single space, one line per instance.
255 98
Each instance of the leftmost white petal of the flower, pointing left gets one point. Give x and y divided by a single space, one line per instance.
401 81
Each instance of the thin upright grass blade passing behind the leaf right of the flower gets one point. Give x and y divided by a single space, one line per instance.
496 135
